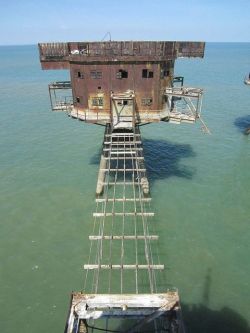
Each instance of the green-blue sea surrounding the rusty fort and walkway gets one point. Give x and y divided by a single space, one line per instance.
200 185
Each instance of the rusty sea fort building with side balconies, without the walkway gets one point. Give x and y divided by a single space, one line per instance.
123 83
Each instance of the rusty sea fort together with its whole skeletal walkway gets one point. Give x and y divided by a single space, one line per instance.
123 85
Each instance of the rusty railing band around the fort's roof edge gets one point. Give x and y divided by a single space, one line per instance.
54 51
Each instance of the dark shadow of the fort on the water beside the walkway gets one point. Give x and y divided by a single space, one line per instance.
162 159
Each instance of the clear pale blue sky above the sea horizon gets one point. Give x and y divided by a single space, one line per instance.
33 21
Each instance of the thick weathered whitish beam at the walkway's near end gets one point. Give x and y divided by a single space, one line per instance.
141 306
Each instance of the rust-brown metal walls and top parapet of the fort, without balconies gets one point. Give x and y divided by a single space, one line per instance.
99 69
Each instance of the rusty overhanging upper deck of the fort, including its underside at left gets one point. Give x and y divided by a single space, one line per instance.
60 55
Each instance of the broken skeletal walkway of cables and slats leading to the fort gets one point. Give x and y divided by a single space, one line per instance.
123 270
